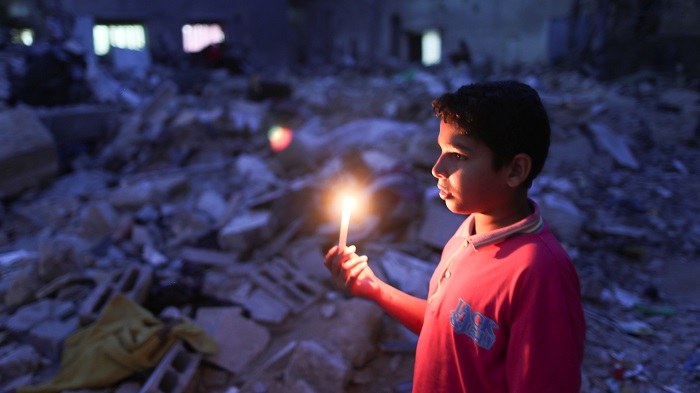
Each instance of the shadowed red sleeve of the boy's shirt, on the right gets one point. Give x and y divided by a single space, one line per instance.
547 330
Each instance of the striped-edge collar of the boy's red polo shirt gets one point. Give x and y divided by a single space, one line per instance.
530 224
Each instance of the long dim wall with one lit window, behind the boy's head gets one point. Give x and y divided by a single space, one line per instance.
609 38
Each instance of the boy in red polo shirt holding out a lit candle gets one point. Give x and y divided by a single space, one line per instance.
504 310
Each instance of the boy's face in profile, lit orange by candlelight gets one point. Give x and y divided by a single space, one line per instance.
466 178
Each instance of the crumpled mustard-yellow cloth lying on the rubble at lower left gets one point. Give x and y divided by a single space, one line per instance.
125 339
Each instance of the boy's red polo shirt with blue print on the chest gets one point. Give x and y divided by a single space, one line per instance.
504 314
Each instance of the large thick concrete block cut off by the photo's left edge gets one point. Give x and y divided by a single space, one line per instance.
28 152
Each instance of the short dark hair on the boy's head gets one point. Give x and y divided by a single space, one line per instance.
507 116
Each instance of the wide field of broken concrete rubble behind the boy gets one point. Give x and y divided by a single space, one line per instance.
177 204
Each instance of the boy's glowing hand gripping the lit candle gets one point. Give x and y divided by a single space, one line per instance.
351 273
